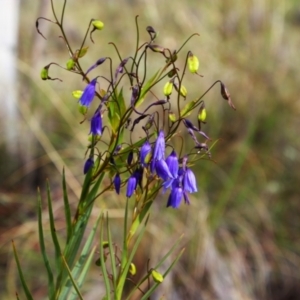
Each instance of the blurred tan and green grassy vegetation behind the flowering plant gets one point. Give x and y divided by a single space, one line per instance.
242 229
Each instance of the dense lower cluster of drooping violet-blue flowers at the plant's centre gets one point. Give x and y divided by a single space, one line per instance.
181 180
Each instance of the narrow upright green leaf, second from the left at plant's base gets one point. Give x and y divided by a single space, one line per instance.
51 289
